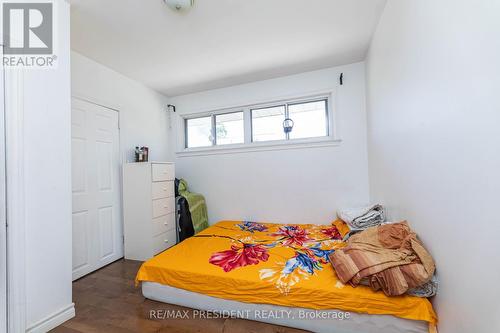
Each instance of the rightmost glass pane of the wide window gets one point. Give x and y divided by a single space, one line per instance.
310 119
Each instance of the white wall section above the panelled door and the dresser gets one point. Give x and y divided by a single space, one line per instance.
143 116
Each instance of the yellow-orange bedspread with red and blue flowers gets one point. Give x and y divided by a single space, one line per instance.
274 264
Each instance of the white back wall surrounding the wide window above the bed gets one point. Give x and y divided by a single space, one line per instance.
304 185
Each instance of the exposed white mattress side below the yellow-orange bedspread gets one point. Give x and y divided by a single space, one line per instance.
323 321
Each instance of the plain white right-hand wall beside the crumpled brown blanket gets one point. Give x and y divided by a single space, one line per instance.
433 76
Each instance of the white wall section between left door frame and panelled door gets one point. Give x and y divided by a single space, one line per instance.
47 182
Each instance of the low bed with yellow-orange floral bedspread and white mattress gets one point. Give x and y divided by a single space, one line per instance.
284 268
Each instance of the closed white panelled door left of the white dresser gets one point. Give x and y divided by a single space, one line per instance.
97 222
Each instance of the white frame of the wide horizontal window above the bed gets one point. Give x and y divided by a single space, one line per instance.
330 139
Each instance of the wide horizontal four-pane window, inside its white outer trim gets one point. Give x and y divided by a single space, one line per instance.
260 124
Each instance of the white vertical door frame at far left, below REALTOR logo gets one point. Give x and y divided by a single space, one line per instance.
14 143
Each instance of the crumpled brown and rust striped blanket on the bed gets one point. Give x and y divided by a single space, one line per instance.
390 256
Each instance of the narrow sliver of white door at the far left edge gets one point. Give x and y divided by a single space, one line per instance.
3 203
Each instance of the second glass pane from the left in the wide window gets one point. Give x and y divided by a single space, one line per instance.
229 128
